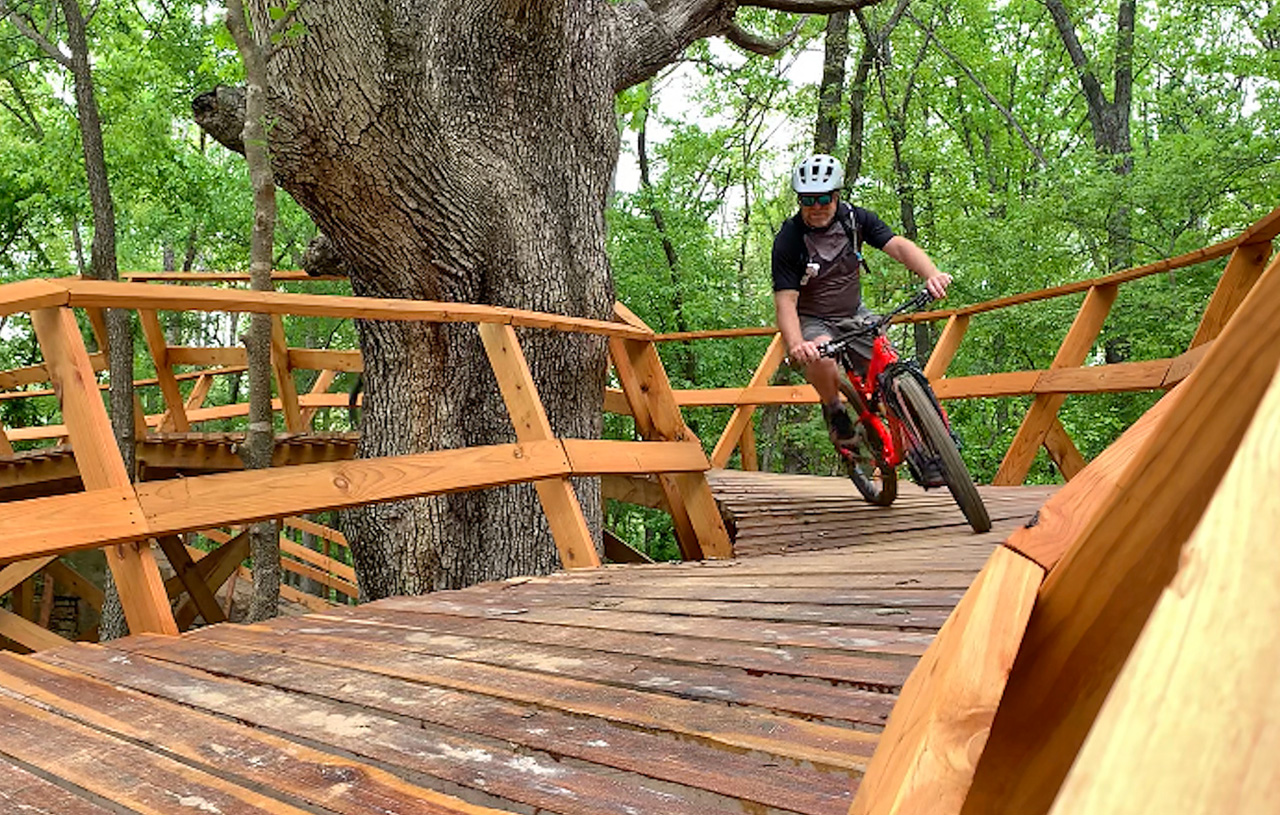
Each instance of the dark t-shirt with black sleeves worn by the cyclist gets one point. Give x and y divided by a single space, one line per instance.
822 264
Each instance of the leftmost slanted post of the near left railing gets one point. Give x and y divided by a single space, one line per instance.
100 465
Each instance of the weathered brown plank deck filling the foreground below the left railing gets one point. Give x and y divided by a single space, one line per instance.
748 686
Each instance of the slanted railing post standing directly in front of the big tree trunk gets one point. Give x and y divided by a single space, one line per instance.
560 502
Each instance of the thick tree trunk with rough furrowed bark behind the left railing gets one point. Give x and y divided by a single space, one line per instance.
464 150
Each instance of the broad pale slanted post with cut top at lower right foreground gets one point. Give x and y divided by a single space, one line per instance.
926 757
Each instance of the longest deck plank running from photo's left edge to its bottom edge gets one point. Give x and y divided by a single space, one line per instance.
244 754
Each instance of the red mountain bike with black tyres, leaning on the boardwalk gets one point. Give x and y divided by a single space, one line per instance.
899 420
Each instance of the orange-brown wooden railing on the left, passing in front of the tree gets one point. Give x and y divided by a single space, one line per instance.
121 516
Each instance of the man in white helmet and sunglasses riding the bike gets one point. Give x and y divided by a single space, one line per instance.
817 277
